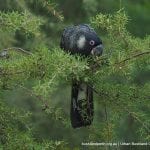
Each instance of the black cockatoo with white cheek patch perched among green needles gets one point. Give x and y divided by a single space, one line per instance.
83 40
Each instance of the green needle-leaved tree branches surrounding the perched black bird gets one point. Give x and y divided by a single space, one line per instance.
121 80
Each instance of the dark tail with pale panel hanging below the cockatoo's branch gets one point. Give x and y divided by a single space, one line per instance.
82 107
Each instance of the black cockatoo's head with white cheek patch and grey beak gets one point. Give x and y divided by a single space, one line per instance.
90 44
